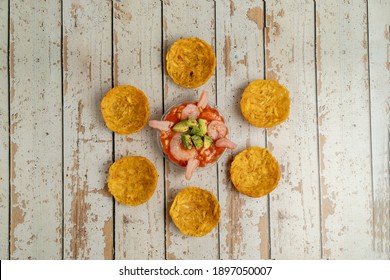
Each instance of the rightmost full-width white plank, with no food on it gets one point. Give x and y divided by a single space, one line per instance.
344 130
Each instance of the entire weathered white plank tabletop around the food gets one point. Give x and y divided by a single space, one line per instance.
58 58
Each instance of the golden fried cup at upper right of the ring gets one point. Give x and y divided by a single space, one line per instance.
265 103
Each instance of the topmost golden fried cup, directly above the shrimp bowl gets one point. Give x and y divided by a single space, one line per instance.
190 62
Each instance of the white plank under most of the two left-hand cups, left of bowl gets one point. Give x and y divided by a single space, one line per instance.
140 230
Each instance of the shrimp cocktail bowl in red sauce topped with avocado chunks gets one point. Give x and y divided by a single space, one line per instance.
193 134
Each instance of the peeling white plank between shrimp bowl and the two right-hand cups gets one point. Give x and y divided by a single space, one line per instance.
244 221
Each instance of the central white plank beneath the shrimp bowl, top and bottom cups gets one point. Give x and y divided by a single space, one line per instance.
183 19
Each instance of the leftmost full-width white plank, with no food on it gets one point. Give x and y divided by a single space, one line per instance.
36 130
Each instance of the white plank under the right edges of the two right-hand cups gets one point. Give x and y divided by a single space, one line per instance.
290 59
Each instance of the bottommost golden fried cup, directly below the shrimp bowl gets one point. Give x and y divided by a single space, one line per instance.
195 211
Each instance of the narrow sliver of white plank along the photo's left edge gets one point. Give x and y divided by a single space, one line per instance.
4 135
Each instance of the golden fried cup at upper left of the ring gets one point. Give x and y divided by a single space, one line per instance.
125 109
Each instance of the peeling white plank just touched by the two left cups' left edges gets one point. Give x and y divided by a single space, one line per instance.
88 206
